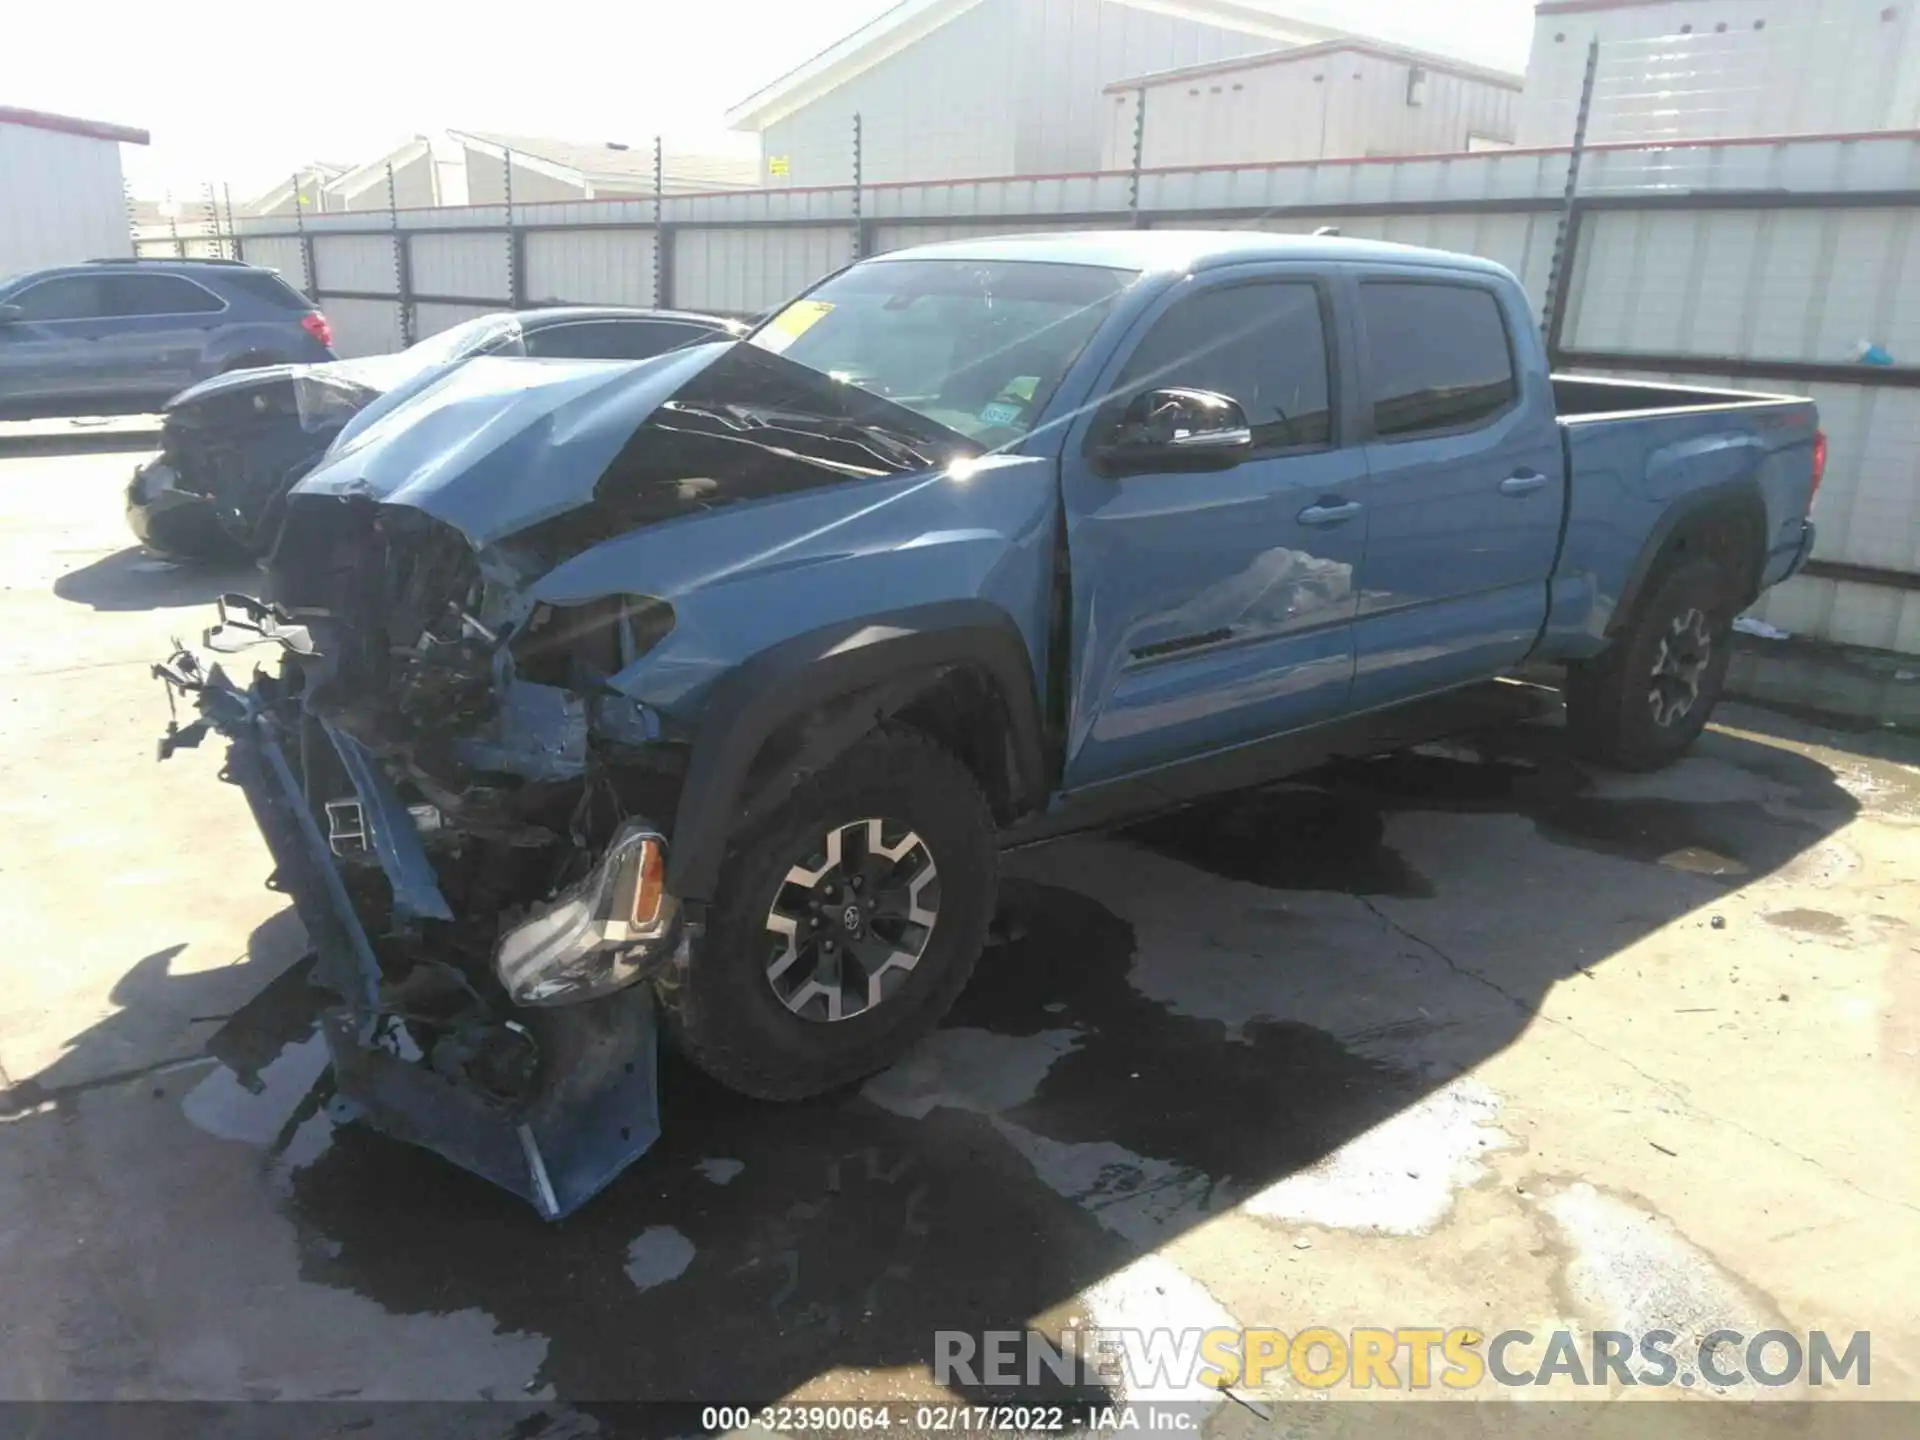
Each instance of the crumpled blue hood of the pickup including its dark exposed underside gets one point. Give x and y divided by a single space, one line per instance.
562 456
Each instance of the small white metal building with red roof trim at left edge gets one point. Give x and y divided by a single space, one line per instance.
62 197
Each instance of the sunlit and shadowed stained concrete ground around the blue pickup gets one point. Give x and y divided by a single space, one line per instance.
1468 1038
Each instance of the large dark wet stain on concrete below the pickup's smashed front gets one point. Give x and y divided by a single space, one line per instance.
848 1234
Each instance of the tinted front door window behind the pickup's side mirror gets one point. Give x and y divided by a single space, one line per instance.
1260 345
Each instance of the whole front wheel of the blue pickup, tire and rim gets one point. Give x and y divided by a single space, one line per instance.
844 928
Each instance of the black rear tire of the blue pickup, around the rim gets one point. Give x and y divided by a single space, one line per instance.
1610 700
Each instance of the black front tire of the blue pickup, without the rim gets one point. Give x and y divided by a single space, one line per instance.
723 1011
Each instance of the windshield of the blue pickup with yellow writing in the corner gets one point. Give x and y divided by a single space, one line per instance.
978 347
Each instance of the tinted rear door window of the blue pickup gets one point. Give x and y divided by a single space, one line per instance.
1439 356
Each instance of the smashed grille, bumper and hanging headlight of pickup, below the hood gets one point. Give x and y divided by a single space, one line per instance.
468 898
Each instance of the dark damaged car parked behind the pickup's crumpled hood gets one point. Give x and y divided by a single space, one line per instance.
233 446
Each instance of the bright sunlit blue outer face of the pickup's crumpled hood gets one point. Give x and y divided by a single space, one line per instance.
500 444
